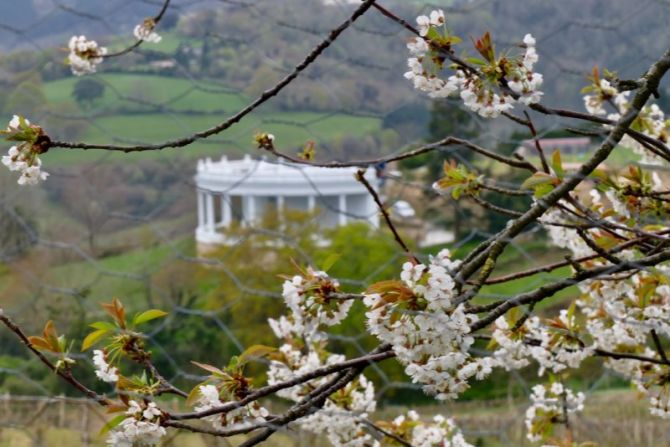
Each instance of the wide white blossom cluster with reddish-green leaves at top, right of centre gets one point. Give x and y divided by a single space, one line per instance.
490 89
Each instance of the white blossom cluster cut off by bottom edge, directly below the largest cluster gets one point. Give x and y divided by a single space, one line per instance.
440 432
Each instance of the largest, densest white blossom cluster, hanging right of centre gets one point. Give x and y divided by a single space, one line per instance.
429 333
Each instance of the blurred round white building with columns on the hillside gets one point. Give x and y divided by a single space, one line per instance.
240 191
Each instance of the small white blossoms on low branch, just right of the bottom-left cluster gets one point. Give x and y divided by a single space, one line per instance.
239 418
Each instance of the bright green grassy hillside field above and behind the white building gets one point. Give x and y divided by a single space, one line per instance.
119 118
